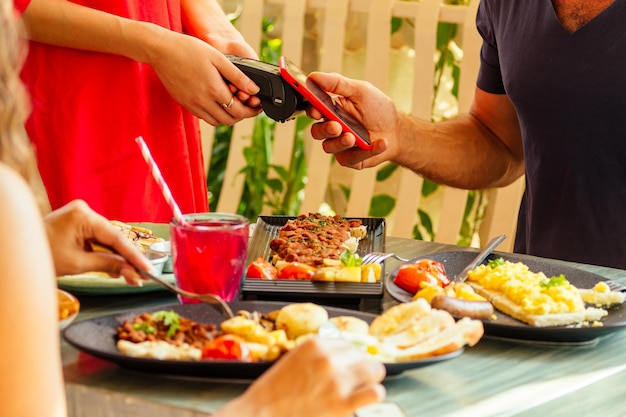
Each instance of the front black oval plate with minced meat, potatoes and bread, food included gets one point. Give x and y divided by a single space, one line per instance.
245 346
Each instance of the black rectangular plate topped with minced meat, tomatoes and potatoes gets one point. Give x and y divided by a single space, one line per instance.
312 256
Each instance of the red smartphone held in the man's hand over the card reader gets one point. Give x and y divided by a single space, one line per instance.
323 102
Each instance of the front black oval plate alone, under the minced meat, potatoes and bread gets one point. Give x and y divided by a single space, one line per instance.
98 337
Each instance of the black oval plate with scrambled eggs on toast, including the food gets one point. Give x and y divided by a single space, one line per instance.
543 300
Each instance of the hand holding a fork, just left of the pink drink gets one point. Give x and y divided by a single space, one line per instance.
73 227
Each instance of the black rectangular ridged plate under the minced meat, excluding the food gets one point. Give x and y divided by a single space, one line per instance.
267 228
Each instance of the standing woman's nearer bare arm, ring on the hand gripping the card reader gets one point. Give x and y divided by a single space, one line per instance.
191 70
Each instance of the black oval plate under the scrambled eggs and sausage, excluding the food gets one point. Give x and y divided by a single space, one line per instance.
507 327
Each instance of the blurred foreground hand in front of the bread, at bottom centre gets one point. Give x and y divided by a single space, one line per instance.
319 378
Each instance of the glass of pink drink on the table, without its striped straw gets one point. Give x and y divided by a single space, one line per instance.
209 254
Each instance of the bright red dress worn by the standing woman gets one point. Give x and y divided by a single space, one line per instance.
87 110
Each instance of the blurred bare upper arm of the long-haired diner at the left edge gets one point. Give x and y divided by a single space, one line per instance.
30 360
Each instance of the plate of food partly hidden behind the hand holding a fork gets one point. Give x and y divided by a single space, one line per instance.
100 283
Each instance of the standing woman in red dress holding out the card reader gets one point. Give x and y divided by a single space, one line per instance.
101 72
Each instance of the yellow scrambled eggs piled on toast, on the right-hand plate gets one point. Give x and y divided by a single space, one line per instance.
531 291
